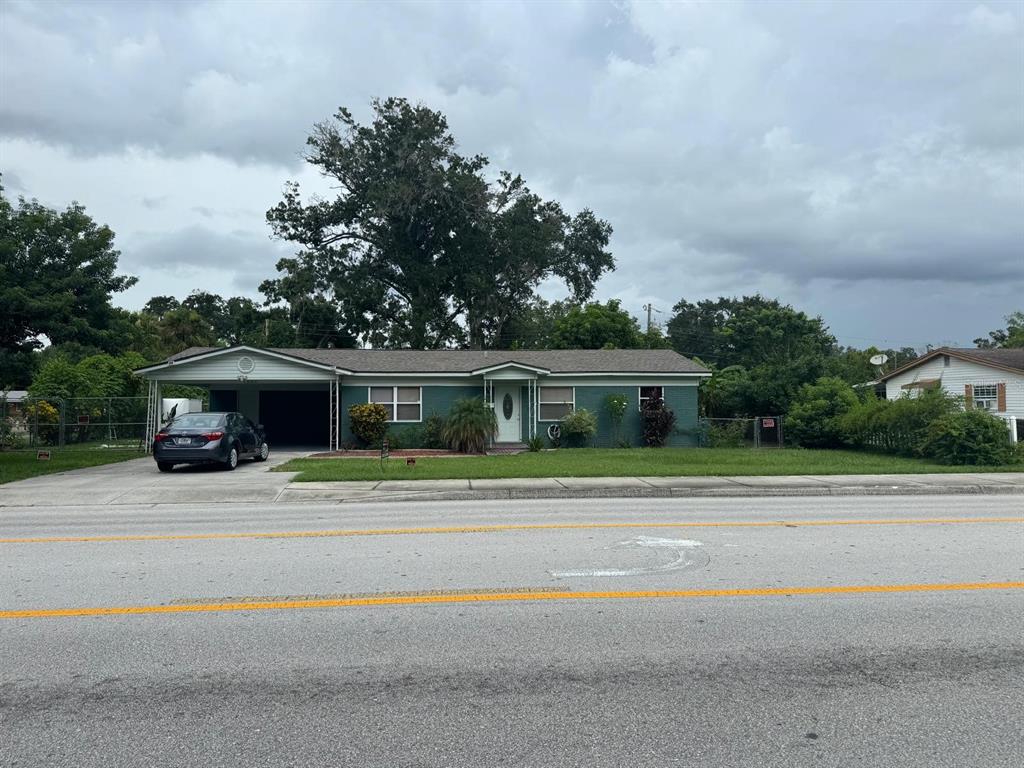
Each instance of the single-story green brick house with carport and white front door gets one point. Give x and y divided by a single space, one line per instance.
303 396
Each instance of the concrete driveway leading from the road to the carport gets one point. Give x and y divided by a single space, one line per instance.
139 482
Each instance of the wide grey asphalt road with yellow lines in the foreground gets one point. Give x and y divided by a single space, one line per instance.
782 632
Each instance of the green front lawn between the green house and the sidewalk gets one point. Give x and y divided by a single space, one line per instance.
621 463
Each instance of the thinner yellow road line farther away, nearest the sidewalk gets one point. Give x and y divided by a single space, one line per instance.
502 529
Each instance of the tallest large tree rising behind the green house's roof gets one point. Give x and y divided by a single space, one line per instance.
418 249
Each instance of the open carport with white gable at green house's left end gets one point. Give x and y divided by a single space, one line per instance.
297 401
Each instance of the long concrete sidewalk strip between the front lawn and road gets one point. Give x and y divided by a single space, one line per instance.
576 488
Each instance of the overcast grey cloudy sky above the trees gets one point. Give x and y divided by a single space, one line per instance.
864 161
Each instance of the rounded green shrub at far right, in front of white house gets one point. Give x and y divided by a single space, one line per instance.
969 438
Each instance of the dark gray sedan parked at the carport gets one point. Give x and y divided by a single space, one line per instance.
209 439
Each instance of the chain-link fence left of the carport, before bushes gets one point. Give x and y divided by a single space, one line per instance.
35 423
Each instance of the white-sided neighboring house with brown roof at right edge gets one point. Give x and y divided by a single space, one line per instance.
990 379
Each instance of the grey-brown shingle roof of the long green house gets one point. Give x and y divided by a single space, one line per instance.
472 361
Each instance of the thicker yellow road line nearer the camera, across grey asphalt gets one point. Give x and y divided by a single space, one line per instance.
483 598
